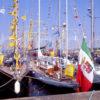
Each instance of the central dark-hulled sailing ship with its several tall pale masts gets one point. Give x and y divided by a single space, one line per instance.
53 67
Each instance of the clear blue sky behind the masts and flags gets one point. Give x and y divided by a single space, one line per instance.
49 20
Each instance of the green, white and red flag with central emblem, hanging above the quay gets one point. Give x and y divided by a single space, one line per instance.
85 68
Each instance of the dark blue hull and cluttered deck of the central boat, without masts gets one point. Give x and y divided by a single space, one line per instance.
46 71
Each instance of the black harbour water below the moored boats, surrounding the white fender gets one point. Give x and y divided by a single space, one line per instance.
33 88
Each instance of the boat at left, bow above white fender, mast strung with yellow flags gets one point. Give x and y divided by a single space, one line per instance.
12 62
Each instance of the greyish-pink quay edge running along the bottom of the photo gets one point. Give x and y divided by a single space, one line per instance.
93 95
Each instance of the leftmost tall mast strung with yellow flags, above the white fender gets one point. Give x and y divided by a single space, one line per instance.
14 29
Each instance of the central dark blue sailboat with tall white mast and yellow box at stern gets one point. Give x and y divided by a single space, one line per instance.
52 70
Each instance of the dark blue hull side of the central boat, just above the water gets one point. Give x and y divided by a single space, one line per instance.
56 83
